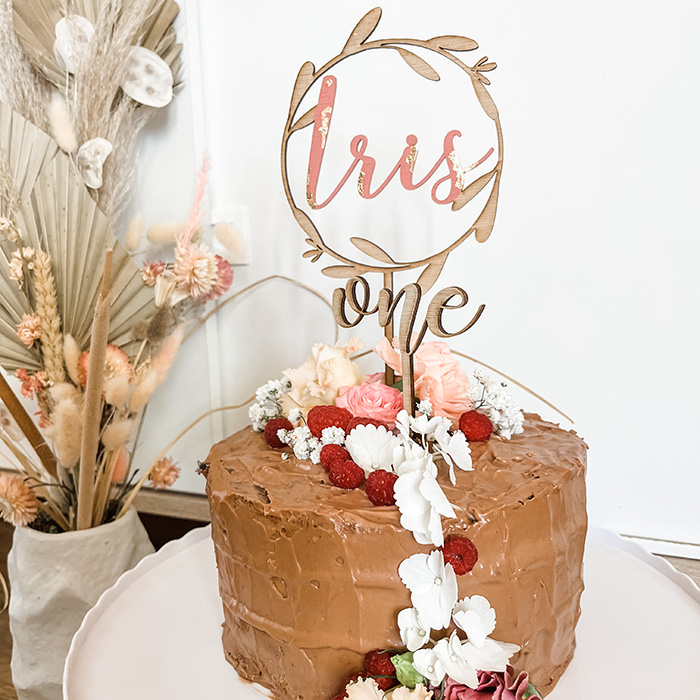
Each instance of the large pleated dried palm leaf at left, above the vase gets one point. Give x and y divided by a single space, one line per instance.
58 215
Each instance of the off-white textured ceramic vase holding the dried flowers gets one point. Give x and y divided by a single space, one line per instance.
54 580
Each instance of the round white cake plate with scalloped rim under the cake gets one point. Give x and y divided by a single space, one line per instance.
156 634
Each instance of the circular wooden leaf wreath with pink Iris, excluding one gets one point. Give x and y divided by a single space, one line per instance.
462 191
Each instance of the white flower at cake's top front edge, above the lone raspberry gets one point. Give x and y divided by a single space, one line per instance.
421 502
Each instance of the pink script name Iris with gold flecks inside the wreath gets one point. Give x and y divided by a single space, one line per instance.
358 147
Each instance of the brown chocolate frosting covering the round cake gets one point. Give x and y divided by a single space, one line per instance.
309 572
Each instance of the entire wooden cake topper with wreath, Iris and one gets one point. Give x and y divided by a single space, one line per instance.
353 302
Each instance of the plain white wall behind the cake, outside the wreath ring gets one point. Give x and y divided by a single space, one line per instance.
589 278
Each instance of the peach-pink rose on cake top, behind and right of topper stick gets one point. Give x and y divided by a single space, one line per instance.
438 377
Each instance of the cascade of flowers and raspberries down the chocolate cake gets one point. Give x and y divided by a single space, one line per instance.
355 427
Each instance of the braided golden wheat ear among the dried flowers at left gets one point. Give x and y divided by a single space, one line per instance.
47 309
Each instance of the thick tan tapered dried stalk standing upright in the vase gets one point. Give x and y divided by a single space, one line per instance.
93 402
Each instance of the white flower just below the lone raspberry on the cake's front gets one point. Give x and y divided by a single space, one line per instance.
433 586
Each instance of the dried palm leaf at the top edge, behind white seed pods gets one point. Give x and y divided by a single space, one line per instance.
35 24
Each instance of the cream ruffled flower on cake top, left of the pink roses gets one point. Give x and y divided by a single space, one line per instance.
317 382
